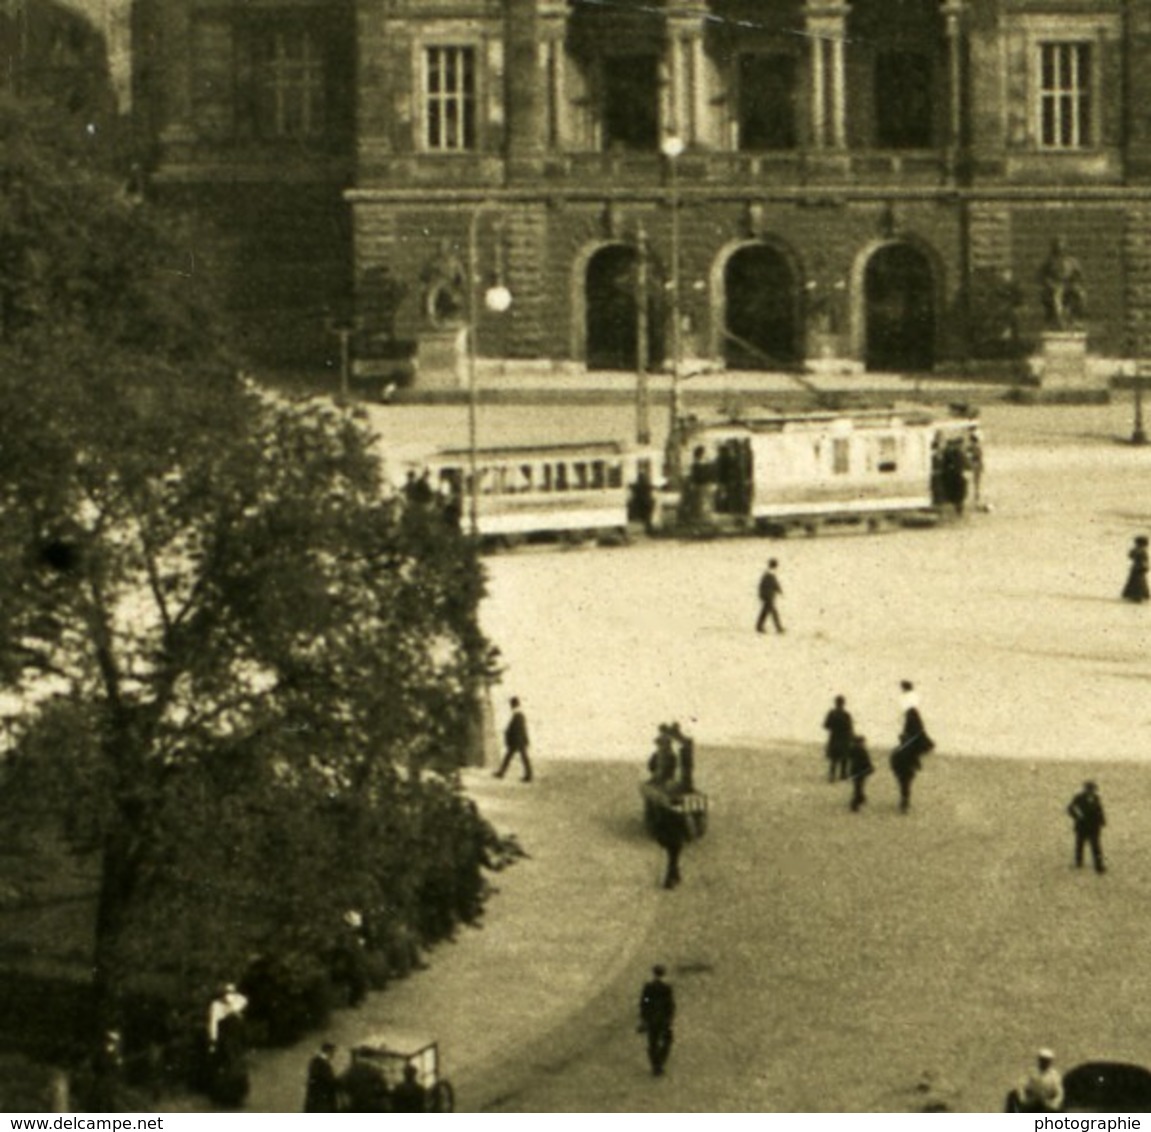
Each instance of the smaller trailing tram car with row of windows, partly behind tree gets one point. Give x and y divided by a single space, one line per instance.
570 492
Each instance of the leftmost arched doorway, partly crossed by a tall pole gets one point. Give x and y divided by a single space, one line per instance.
612 288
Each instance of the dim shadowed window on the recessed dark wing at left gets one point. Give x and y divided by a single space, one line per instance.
291 85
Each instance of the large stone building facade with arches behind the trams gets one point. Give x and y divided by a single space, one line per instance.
868 184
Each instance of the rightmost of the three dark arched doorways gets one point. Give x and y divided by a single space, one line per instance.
900 309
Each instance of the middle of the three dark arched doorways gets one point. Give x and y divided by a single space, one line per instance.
761 325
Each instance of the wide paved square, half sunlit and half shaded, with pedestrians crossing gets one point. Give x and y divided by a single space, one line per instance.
1010 625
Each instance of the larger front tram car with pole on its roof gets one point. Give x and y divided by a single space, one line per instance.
781 472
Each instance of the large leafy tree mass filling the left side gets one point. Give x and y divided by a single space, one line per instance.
226 654
